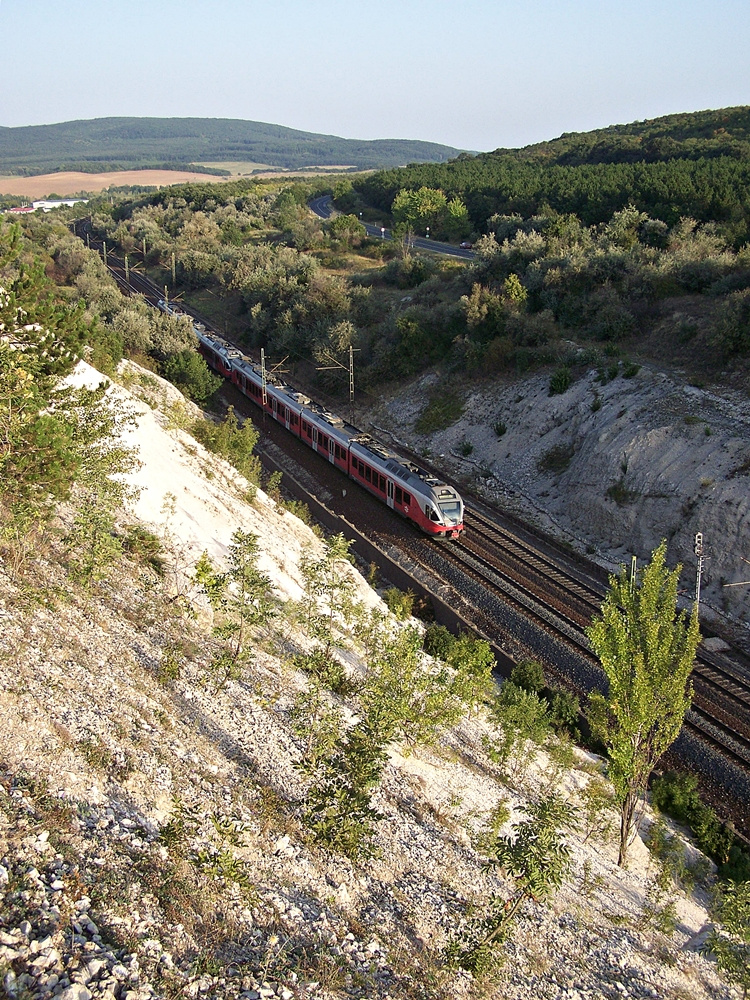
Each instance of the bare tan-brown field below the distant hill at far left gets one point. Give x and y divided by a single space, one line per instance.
69 183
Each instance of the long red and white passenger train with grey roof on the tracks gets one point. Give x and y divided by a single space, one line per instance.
433 506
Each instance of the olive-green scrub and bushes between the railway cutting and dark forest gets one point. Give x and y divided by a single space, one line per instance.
272 275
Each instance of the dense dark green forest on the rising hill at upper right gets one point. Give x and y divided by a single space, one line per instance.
695 165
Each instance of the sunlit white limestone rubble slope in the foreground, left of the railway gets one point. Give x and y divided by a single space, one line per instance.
150 835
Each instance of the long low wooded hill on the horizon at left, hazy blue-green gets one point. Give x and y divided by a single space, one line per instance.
104 144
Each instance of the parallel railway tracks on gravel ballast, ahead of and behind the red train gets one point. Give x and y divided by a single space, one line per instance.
511 586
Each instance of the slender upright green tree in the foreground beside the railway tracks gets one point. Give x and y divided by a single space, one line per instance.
646 648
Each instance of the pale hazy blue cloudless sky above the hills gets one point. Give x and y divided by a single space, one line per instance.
476 74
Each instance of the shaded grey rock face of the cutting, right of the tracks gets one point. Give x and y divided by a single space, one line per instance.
611 468
